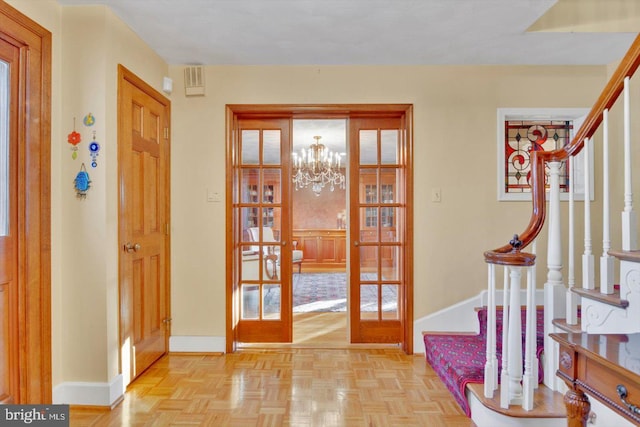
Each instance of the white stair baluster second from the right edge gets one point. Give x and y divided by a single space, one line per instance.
606 261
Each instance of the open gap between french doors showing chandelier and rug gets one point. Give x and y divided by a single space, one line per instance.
319 221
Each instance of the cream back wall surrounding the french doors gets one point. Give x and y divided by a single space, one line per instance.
454 149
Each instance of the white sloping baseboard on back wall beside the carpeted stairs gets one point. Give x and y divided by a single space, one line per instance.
460 317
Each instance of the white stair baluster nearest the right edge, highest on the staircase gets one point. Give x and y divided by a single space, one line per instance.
629 220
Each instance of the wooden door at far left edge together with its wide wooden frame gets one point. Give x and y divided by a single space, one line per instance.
25 201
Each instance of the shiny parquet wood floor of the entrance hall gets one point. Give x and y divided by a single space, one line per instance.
284 387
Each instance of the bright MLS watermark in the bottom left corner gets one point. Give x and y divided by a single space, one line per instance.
36 415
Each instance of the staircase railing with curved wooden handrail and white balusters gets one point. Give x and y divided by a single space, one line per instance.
597 304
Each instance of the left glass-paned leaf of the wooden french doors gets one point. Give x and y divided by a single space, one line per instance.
262 230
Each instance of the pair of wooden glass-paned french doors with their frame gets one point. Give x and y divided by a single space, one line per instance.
259 294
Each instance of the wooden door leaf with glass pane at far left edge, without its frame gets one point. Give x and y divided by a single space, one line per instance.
9 310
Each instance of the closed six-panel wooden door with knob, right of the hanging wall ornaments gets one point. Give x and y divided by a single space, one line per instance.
144 224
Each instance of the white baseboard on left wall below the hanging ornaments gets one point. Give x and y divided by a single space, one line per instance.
89 394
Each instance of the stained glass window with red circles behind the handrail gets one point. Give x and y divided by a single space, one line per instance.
522 137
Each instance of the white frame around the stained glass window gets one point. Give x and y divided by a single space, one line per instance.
577 115
